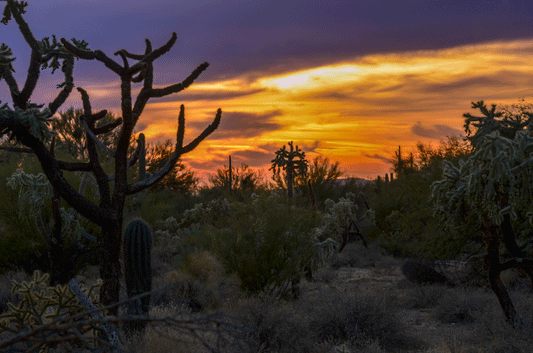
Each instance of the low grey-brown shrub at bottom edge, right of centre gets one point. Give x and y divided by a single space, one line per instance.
360 320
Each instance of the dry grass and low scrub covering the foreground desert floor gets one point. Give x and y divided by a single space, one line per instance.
375 311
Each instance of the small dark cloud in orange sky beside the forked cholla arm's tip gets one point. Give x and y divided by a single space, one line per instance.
244 125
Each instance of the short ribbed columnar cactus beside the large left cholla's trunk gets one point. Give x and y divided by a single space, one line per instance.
138 268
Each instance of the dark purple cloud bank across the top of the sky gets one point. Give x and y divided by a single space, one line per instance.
237 36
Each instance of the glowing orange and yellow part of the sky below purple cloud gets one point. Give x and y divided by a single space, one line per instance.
356 112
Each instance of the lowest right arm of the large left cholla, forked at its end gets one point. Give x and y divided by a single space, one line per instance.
160 174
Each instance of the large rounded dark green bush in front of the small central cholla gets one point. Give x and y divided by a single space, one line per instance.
266 243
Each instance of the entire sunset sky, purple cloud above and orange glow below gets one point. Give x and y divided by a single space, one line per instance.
347 80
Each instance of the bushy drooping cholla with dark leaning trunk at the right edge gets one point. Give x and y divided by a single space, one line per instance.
493 191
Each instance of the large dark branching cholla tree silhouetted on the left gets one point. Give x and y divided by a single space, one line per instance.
29 124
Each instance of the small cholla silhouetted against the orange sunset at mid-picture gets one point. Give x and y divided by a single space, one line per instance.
293 162
